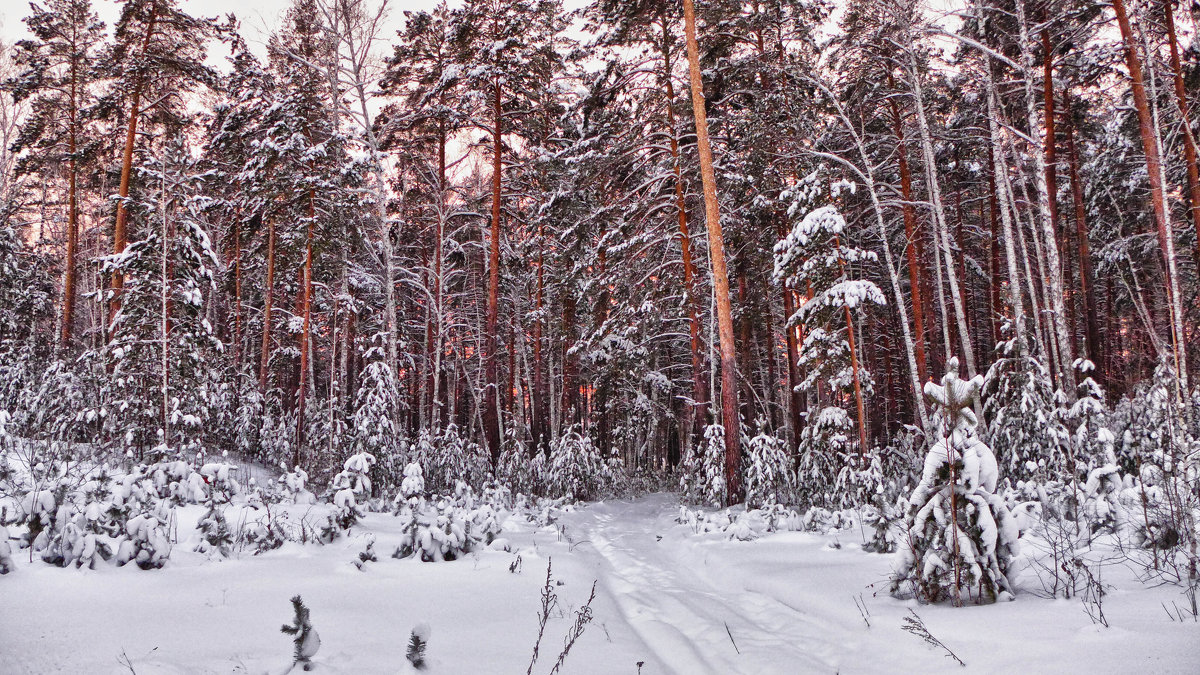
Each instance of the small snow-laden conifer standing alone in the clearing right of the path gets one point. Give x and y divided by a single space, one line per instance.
962 539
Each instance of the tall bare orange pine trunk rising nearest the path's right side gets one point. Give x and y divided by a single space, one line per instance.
721 276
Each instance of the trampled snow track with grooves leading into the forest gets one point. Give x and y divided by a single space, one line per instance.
695 624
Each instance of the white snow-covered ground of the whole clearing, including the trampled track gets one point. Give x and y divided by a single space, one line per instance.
668 599
